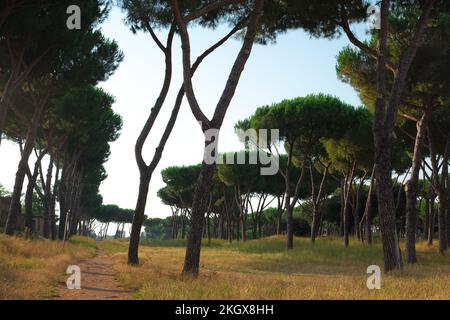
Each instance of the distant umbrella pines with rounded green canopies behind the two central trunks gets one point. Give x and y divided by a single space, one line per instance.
327 167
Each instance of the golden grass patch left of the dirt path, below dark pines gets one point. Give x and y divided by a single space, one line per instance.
32 269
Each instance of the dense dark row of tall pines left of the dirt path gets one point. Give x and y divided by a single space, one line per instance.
53 109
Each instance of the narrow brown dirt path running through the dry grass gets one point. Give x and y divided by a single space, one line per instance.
97 281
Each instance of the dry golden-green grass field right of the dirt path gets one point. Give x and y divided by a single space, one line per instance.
264 269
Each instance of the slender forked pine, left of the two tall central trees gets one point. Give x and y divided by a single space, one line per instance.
147 16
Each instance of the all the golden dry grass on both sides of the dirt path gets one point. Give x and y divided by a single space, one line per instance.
257 269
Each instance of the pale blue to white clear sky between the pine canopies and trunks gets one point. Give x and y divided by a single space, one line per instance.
296 65
